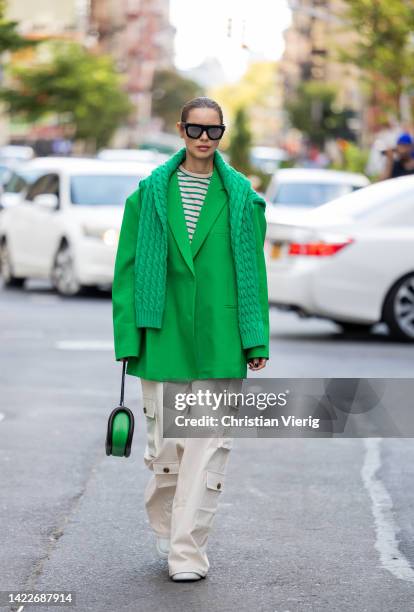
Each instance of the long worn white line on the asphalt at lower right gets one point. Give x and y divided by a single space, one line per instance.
386 528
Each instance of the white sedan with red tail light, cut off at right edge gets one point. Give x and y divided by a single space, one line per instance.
350 260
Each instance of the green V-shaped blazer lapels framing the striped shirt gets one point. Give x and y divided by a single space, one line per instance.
215 199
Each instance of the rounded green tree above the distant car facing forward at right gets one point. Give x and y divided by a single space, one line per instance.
313 113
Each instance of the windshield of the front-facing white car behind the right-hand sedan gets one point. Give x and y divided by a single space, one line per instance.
309 194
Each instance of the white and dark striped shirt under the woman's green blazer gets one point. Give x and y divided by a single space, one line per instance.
193 189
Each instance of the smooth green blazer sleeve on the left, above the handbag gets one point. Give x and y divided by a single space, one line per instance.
127 337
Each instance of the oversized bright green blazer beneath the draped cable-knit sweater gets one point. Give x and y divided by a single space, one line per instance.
199 337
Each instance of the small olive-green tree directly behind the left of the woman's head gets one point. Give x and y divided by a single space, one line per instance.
170 92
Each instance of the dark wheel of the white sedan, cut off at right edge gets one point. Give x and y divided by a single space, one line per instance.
398 311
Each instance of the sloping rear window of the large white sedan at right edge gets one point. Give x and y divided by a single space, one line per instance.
367 201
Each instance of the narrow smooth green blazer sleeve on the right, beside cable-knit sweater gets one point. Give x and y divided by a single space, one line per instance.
260 226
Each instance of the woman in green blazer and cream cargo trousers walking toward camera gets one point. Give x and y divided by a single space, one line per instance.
190 313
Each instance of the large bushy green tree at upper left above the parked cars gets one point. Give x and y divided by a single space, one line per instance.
81 87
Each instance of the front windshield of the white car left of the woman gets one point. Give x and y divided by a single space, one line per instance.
102 189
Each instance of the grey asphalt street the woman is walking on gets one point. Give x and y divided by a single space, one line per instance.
303 525
